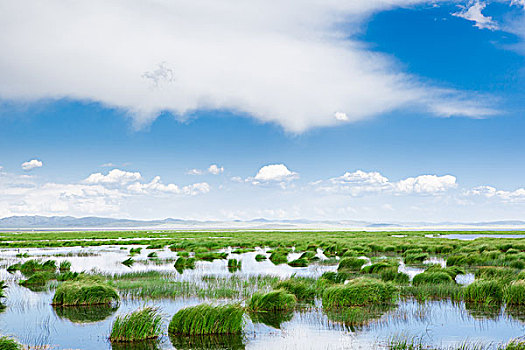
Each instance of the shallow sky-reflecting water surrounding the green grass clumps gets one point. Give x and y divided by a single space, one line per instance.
30 317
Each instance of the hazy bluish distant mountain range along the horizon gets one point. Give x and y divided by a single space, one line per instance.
97 223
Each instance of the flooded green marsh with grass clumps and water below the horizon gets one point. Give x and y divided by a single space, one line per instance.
262 290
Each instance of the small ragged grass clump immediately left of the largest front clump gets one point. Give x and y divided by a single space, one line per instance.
139 325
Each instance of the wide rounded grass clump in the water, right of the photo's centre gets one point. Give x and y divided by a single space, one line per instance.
359 292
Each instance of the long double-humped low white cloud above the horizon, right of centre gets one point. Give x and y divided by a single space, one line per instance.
361 182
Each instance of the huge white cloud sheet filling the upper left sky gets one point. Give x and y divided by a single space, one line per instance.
290 62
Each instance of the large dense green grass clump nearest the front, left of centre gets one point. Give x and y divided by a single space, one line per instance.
206 319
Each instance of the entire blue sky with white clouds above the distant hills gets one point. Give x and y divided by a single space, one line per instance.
387 110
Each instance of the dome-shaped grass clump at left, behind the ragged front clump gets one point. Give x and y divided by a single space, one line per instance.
84 292
